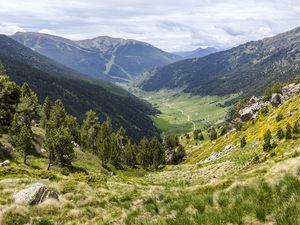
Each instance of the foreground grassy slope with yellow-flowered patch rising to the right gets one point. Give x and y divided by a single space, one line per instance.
246 186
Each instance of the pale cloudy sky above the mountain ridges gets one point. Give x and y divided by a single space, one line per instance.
172 25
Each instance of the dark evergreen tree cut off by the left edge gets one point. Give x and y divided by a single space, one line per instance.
9 98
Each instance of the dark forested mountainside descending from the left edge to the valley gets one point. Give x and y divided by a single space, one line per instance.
79 94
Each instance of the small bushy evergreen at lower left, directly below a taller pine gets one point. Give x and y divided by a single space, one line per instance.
24 142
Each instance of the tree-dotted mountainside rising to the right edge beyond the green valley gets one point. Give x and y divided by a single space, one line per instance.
248 68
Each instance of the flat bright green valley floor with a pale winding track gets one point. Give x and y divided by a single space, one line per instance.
202 110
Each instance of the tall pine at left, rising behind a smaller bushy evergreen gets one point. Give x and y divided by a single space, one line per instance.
27 109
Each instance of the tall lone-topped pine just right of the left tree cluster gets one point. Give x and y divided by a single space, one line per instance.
89 130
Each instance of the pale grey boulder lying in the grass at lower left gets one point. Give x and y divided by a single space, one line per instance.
35 194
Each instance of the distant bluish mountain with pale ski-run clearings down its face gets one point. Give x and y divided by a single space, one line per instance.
104 57
